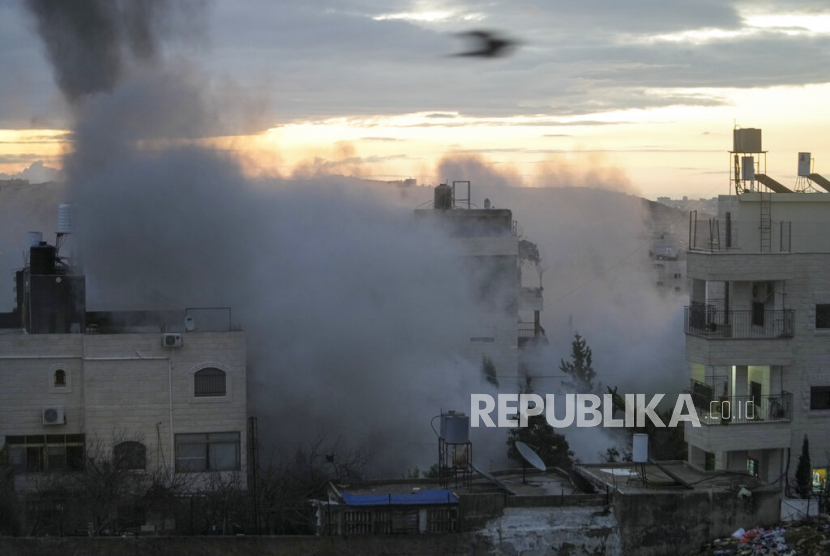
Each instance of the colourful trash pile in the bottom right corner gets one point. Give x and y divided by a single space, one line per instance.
809 538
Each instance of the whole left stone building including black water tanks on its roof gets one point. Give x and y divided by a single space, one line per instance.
152 389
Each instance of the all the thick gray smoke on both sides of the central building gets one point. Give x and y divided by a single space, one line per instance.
352 310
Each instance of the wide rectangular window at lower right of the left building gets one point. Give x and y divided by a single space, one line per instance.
215 451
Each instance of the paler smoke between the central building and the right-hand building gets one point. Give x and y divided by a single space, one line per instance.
597 281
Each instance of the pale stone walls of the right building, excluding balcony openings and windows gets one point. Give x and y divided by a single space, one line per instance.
805 358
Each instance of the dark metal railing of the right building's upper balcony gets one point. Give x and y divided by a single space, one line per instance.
708 321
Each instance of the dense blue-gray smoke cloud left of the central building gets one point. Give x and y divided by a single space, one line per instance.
352 309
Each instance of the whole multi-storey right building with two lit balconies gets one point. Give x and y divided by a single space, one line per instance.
758 333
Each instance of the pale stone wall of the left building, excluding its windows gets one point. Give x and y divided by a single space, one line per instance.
120 385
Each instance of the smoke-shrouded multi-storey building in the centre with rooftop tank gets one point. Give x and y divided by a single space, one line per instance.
488 239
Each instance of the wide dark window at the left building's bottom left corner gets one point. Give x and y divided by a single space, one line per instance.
51 452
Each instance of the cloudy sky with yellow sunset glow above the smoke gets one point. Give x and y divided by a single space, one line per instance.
650 88
